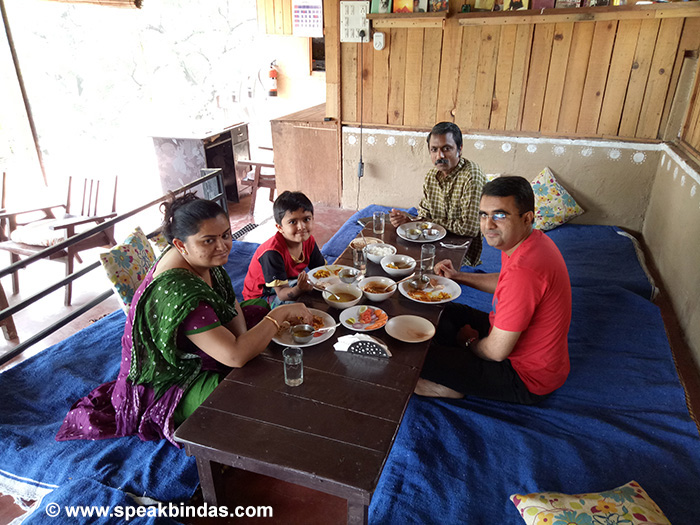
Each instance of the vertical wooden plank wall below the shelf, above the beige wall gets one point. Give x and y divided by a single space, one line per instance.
606 78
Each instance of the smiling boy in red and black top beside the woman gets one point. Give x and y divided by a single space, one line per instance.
276 272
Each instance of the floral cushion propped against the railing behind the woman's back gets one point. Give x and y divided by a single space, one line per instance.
127 265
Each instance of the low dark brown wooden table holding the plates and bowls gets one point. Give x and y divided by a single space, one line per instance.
334 432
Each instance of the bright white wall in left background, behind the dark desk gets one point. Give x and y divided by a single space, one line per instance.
102 80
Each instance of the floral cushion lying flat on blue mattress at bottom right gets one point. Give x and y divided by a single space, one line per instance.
628 504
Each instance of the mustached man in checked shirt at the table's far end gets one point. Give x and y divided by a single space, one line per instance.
451 190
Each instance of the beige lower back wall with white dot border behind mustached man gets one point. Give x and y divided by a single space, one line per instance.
612 181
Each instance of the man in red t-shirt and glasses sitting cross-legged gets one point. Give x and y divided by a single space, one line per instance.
518 352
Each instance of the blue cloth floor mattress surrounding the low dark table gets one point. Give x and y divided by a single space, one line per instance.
620 416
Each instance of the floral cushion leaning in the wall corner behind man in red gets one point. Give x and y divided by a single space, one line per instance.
553 204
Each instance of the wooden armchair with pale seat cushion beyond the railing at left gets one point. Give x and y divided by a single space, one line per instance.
32 236
